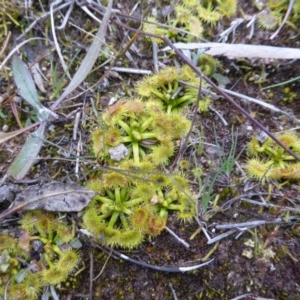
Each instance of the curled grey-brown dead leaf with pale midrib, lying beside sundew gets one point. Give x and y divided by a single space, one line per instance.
53 196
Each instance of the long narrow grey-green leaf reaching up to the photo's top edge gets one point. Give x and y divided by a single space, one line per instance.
89 60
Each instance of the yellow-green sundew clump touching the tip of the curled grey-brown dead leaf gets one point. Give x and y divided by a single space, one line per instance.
127 209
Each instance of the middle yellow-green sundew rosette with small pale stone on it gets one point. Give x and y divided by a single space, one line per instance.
143 128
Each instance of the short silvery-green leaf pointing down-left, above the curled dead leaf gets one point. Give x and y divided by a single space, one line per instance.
25 159
